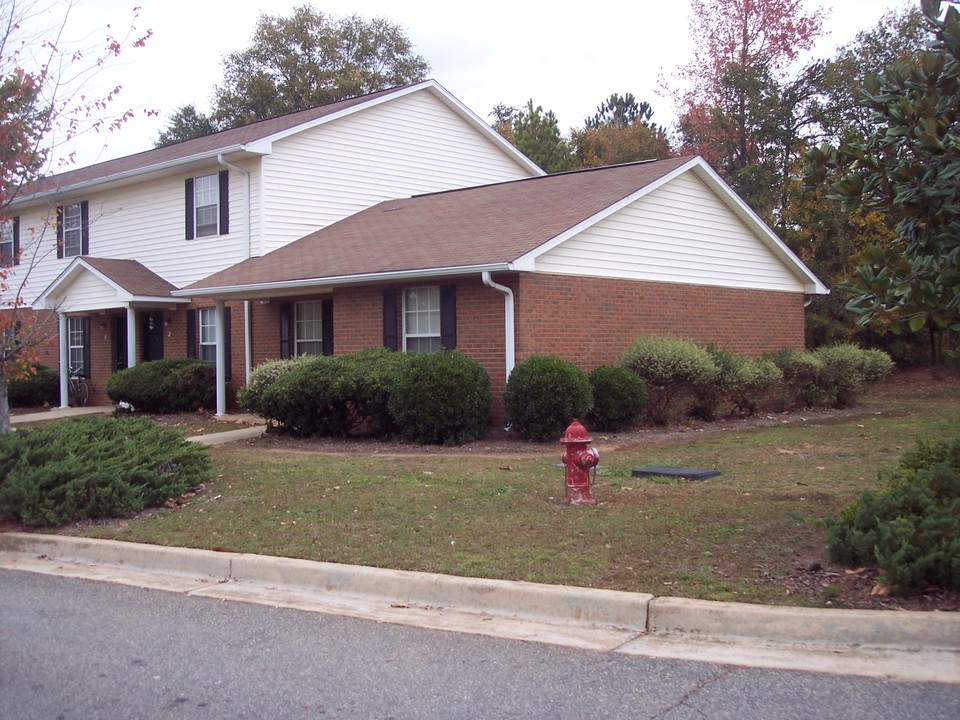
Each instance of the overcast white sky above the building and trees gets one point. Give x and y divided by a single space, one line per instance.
567 57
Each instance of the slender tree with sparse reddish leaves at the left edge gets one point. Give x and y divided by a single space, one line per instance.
45 104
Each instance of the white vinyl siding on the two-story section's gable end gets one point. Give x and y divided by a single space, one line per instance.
406 147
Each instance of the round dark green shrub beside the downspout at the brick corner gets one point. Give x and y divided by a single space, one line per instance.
544 394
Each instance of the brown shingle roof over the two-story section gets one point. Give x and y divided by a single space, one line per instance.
201 146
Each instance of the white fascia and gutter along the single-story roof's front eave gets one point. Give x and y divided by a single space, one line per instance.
286 287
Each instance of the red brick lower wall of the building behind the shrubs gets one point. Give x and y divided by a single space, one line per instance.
588 321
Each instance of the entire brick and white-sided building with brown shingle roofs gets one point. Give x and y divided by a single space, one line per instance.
397 219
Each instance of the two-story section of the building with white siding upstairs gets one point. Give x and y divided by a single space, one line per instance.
104 246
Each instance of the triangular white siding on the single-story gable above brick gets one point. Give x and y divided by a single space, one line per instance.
679 233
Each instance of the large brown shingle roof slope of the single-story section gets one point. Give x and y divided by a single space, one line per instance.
487 225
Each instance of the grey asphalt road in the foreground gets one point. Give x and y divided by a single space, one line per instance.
82 649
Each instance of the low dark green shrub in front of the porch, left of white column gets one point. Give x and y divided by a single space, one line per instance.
169 385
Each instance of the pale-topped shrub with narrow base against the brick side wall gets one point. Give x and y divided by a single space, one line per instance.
674 370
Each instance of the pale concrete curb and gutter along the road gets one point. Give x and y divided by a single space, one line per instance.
908 646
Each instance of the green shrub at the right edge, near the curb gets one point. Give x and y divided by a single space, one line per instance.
911 527
